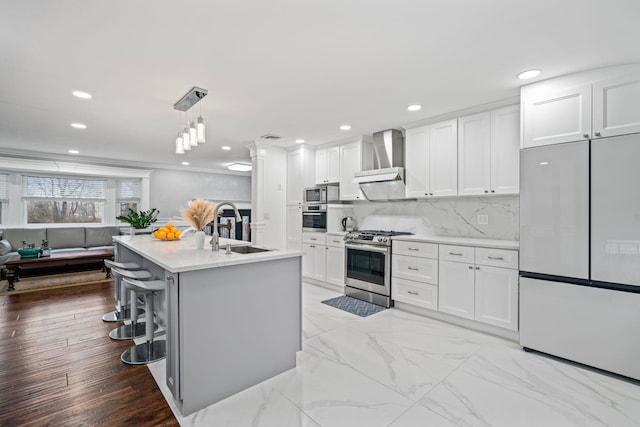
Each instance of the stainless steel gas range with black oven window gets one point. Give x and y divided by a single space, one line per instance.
368 265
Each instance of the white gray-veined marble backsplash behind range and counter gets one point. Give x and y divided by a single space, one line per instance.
455 216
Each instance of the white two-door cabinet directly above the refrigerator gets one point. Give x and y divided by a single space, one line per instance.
593 104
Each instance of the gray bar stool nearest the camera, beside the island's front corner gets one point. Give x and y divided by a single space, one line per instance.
151 350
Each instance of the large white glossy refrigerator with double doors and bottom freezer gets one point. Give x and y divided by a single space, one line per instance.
580 252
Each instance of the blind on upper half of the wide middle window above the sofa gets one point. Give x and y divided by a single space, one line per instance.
63 188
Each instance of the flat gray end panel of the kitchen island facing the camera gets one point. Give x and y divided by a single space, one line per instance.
239 325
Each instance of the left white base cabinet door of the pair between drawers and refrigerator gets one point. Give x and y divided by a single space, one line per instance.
456 289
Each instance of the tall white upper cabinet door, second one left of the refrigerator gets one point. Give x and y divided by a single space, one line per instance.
474 148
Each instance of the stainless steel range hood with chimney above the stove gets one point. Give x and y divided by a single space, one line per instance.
387 181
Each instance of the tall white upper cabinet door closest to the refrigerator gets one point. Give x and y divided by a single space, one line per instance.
505 150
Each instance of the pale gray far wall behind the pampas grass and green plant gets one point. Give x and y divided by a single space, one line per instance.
171 189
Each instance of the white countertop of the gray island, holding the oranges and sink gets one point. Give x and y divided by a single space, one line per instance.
180 255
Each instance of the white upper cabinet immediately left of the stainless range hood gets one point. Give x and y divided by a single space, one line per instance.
354 157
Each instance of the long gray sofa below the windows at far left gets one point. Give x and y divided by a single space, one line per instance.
59 238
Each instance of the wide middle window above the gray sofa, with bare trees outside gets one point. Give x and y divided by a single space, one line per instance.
51 199
